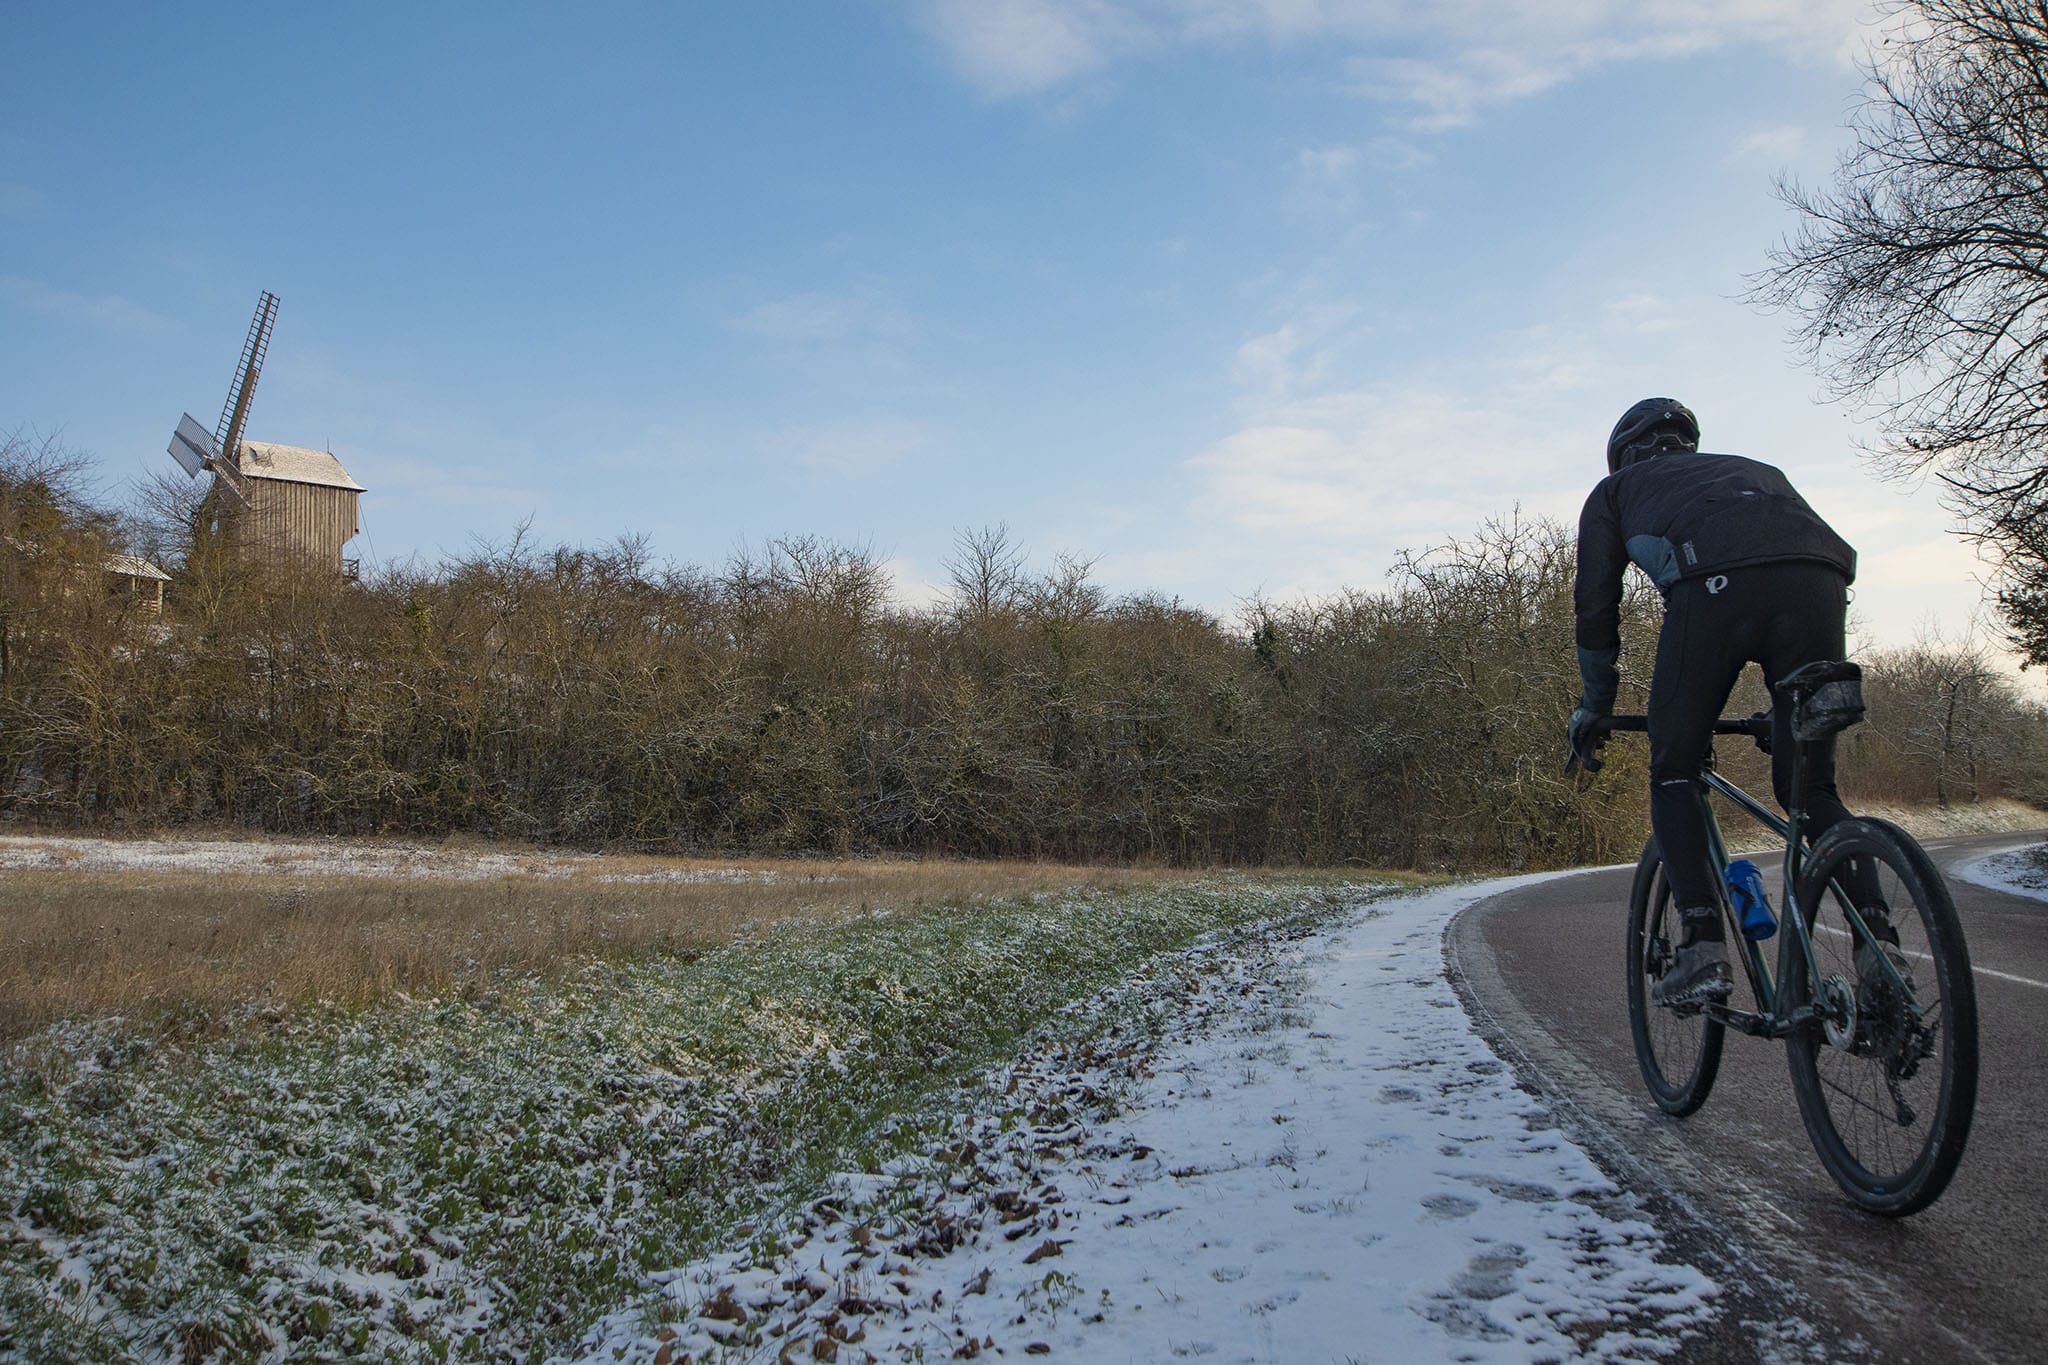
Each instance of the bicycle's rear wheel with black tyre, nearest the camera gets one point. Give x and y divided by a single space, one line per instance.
1887 1131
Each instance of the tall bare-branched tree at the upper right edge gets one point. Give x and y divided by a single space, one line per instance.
1922 275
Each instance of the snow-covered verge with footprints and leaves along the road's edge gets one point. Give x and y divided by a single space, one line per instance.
1316 1161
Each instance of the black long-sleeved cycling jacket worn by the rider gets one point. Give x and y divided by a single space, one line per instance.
1682 517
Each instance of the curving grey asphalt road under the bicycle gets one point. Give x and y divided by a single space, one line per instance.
1809 1276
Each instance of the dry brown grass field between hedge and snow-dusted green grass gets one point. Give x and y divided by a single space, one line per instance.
87 942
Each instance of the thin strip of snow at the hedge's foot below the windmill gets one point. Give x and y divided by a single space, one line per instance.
327 858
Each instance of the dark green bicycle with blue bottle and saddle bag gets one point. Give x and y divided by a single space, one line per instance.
1881 1039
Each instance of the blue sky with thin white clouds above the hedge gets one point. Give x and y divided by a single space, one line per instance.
1228 296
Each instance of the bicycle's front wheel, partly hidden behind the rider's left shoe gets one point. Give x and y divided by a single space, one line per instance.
1676 1047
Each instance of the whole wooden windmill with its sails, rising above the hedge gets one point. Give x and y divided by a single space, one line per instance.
271 502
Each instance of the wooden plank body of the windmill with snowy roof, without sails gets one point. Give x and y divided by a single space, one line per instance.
294 502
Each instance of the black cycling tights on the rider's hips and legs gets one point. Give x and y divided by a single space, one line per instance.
1775 615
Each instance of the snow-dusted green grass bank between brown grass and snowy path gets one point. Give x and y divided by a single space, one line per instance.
480 1176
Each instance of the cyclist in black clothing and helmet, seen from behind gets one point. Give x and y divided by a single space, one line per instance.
1748 574
